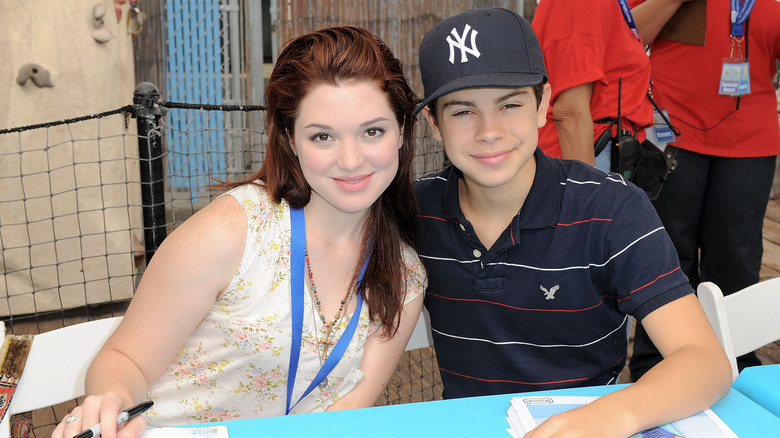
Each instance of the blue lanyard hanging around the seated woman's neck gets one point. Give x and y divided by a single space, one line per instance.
297 291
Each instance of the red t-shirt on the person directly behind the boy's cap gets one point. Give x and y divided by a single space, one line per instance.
589 41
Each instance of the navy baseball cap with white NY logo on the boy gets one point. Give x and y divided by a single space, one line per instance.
480 48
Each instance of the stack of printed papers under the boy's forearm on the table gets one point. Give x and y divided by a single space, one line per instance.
525 413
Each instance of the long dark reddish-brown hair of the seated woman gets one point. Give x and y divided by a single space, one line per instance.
334 56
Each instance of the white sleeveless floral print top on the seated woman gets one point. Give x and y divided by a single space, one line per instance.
234 365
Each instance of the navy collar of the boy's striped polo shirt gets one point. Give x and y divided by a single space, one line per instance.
542 206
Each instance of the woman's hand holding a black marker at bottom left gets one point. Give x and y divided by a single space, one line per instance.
100 409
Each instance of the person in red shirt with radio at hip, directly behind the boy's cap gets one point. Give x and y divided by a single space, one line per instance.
587 47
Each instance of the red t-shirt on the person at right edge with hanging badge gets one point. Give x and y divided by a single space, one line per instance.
686 79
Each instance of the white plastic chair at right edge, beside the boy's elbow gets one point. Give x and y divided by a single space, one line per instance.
745 320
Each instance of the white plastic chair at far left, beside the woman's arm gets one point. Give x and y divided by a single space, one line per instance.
57 366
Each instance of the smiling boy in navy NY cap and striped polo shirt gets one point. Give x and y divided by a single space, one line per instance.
536 263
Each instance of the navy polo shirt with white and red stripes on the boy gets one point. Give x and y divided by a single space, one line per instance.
546 306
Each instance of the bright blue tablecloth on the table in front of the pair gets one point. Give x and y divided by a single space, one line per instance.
476 416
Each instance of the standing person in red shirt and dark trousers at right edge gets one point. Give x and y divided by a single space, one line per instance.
713 205
